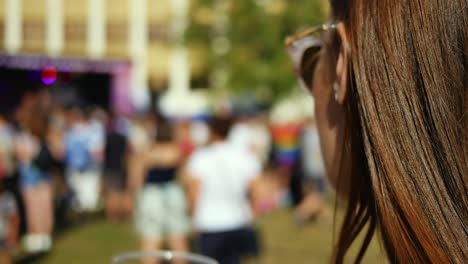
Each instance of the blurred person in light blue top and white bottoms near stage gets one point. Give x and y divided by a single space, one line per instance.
83 153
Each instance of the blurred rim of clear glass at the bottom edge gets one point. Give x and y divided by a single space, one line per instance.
162 257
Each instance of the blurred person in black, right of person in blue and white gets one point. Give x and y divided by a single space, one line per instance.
116 154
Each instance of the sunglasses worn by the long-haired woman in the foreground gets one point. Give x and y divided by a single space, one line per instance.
304 48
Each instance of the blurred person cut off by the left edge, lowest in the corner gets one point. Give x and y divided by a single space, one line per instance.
9 225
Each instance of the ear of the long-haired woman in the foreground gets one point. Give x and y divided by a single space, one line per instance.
341 85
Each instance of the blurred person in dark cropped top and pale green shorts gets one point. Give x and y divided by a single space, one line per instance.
161 210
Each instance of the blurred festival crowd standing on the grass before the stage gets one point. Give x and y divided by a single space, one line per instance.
202 179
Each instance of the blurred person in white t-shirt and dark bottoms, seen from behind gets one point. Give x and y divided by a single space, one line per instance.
221 177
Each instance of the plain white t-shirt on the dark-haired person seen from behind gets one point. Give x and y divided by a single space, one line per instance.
225 173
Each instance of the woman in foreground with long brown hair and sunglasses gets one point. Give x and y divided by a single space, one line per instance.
390 85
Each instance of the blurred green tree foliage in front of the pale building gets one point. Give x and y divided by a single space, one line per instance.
257 61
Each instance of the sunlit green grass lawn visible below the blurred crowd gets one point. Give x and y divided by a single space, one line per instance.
283 242
